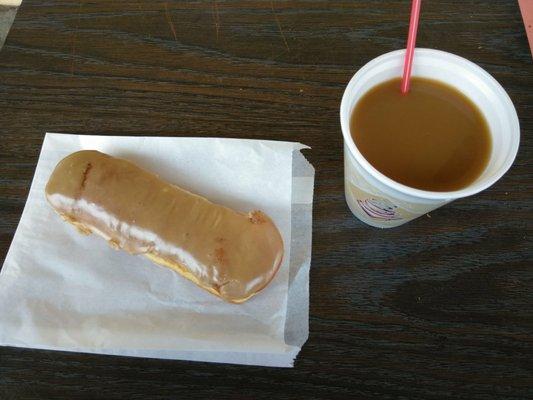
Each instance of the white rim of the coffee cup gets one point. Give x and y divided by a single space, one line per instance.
420 193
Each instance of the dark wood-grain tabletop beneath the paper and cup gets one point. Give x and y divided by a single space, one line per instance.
441 308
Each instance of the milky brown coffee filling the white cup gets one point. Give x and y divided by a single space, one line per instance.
433 138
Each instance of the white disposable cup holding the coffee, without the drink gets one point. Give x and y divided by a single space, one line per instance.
379 201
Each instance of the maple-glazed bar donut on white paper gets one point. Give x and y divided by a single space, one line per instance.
230 254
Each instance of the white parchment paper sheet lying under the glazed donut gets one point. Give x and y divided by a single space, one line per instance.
65 291
